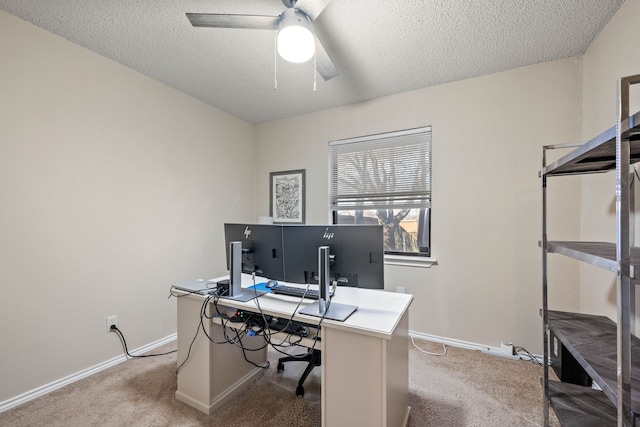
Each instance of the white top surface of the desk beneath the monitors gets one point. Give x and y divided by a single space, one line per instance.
378 311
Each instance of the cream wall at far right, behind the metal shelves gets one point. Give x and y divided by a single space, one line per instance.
612 55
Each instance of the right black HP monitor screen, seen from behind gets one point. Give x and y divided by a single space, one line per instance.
356 254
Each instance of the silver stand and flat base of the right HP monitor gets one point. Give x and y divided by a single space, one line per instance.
324 307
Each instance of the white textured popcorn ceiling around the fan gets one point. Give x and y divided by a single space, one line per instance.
380 47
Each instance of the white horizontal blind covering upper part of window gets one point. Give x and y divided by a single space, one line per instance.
384 171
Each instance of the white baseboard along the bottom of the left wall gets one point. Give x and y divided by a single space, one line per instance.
55 385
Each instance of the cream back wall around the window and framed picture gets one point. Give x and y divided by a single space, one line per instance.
487 139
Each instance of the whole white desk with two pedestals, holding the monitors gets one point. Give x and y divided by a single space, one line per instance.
364 359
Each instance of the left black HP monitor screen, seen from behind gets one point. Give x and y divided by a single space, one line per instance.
262 251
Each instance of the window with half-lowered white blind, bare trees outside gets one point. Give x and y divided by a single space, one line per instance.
385 179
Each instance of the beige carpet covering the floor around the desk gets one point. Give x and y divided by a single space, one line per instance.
462 388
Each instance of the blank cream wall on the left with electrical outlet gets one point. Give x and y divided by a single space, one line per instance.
112 187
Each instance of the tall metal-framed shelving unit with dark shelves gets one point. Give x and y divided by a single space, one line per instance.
595 346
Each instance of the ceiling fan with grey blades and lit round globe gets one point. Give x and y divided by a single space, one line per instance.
295 41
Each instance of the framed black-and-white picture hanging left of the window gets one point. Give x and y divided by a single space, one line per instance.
287 197
